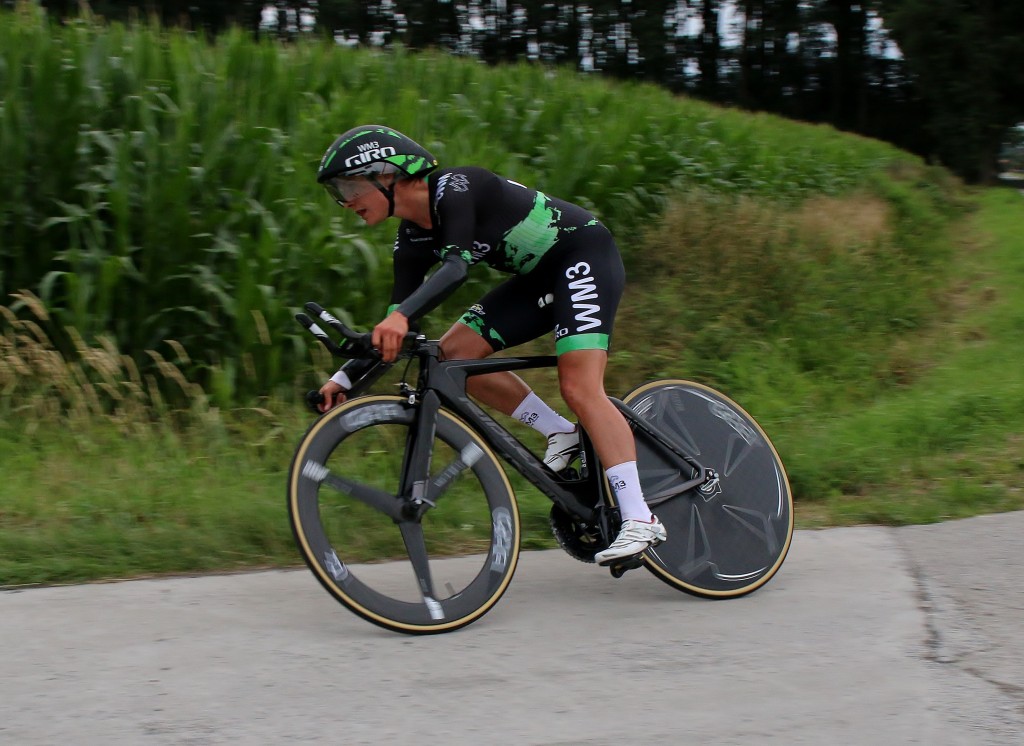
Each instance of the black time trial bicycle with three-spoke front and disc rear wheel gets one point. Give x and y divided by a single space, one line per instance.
419 474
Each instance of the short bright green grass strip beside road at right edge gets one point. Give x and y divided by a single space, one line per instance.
948 445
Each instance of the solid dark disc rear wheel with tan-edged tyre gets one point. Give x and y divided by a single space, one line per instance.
731 541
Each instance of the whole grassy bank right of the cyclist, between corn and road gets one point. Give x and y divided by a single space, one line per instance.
878 358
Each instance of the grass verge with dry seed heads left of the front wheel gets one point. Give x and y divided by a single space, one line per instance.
106 476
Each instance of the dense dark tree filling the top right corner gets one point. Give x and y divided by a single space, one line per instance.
965 58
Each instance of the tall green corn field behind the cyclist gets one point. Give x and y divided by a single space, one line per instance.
160 192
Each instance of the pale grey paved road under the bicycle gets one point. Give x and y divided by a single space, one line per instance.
868 636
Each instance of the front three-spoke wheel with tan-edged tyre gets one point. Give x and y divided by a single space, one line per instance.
478 514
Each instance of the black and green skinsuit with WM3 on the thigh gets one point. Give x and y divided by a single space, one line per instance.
568 275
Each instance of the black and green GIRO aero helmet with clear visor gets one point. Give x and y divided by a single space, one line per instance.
369 151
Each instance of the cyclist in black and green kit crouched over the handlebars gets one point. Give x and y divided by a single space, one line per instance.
567 276
